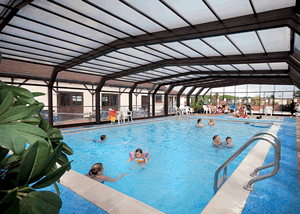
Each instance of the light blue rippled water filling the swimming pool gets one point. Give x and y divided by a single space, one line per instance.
179 176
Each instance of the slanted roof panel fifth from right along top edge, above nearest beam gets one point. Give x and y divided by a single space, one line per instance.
121 10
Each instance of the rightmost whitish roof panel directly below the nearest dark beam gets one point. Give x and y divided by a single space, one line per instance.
275 40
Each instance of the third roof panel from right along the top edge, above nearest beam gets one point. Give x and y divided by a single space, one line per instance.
194 11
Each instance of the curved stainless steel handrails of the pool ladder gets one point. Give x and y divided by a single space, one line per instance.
248 186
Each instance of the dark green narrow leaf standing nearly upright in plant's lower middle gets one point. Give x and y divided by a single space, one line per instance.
27 164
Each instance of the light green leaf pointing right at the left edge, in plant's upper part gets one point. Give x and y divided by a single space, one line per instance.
16 113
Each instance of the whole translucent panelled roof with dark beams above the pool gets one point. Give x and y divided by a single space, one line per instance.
166 42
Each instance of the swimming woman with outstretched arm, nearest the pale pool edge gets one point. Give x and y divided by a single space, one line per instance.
96 174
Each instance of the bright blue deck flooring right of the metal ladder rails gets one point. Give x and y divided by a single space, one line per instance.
279 194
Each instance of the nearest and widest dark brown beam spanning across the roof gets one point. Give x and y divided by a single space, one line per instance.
264 20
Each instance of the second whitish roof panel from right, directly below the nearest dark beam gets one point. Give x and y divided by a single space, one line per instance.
248 42
